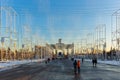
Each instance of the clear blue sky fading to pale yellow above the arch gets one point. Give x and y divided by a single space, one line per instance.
70 20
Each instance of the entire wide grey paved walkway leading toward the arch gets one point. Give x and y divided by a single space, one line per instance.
61 70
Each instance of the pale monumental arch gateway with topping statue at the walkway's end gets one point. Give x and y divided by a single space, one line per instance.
61 49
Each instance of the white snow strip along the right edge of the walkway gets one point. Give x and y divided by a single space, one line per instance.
110 62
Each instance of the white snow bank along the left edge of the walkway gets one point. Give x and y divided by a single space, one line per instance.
4 65
